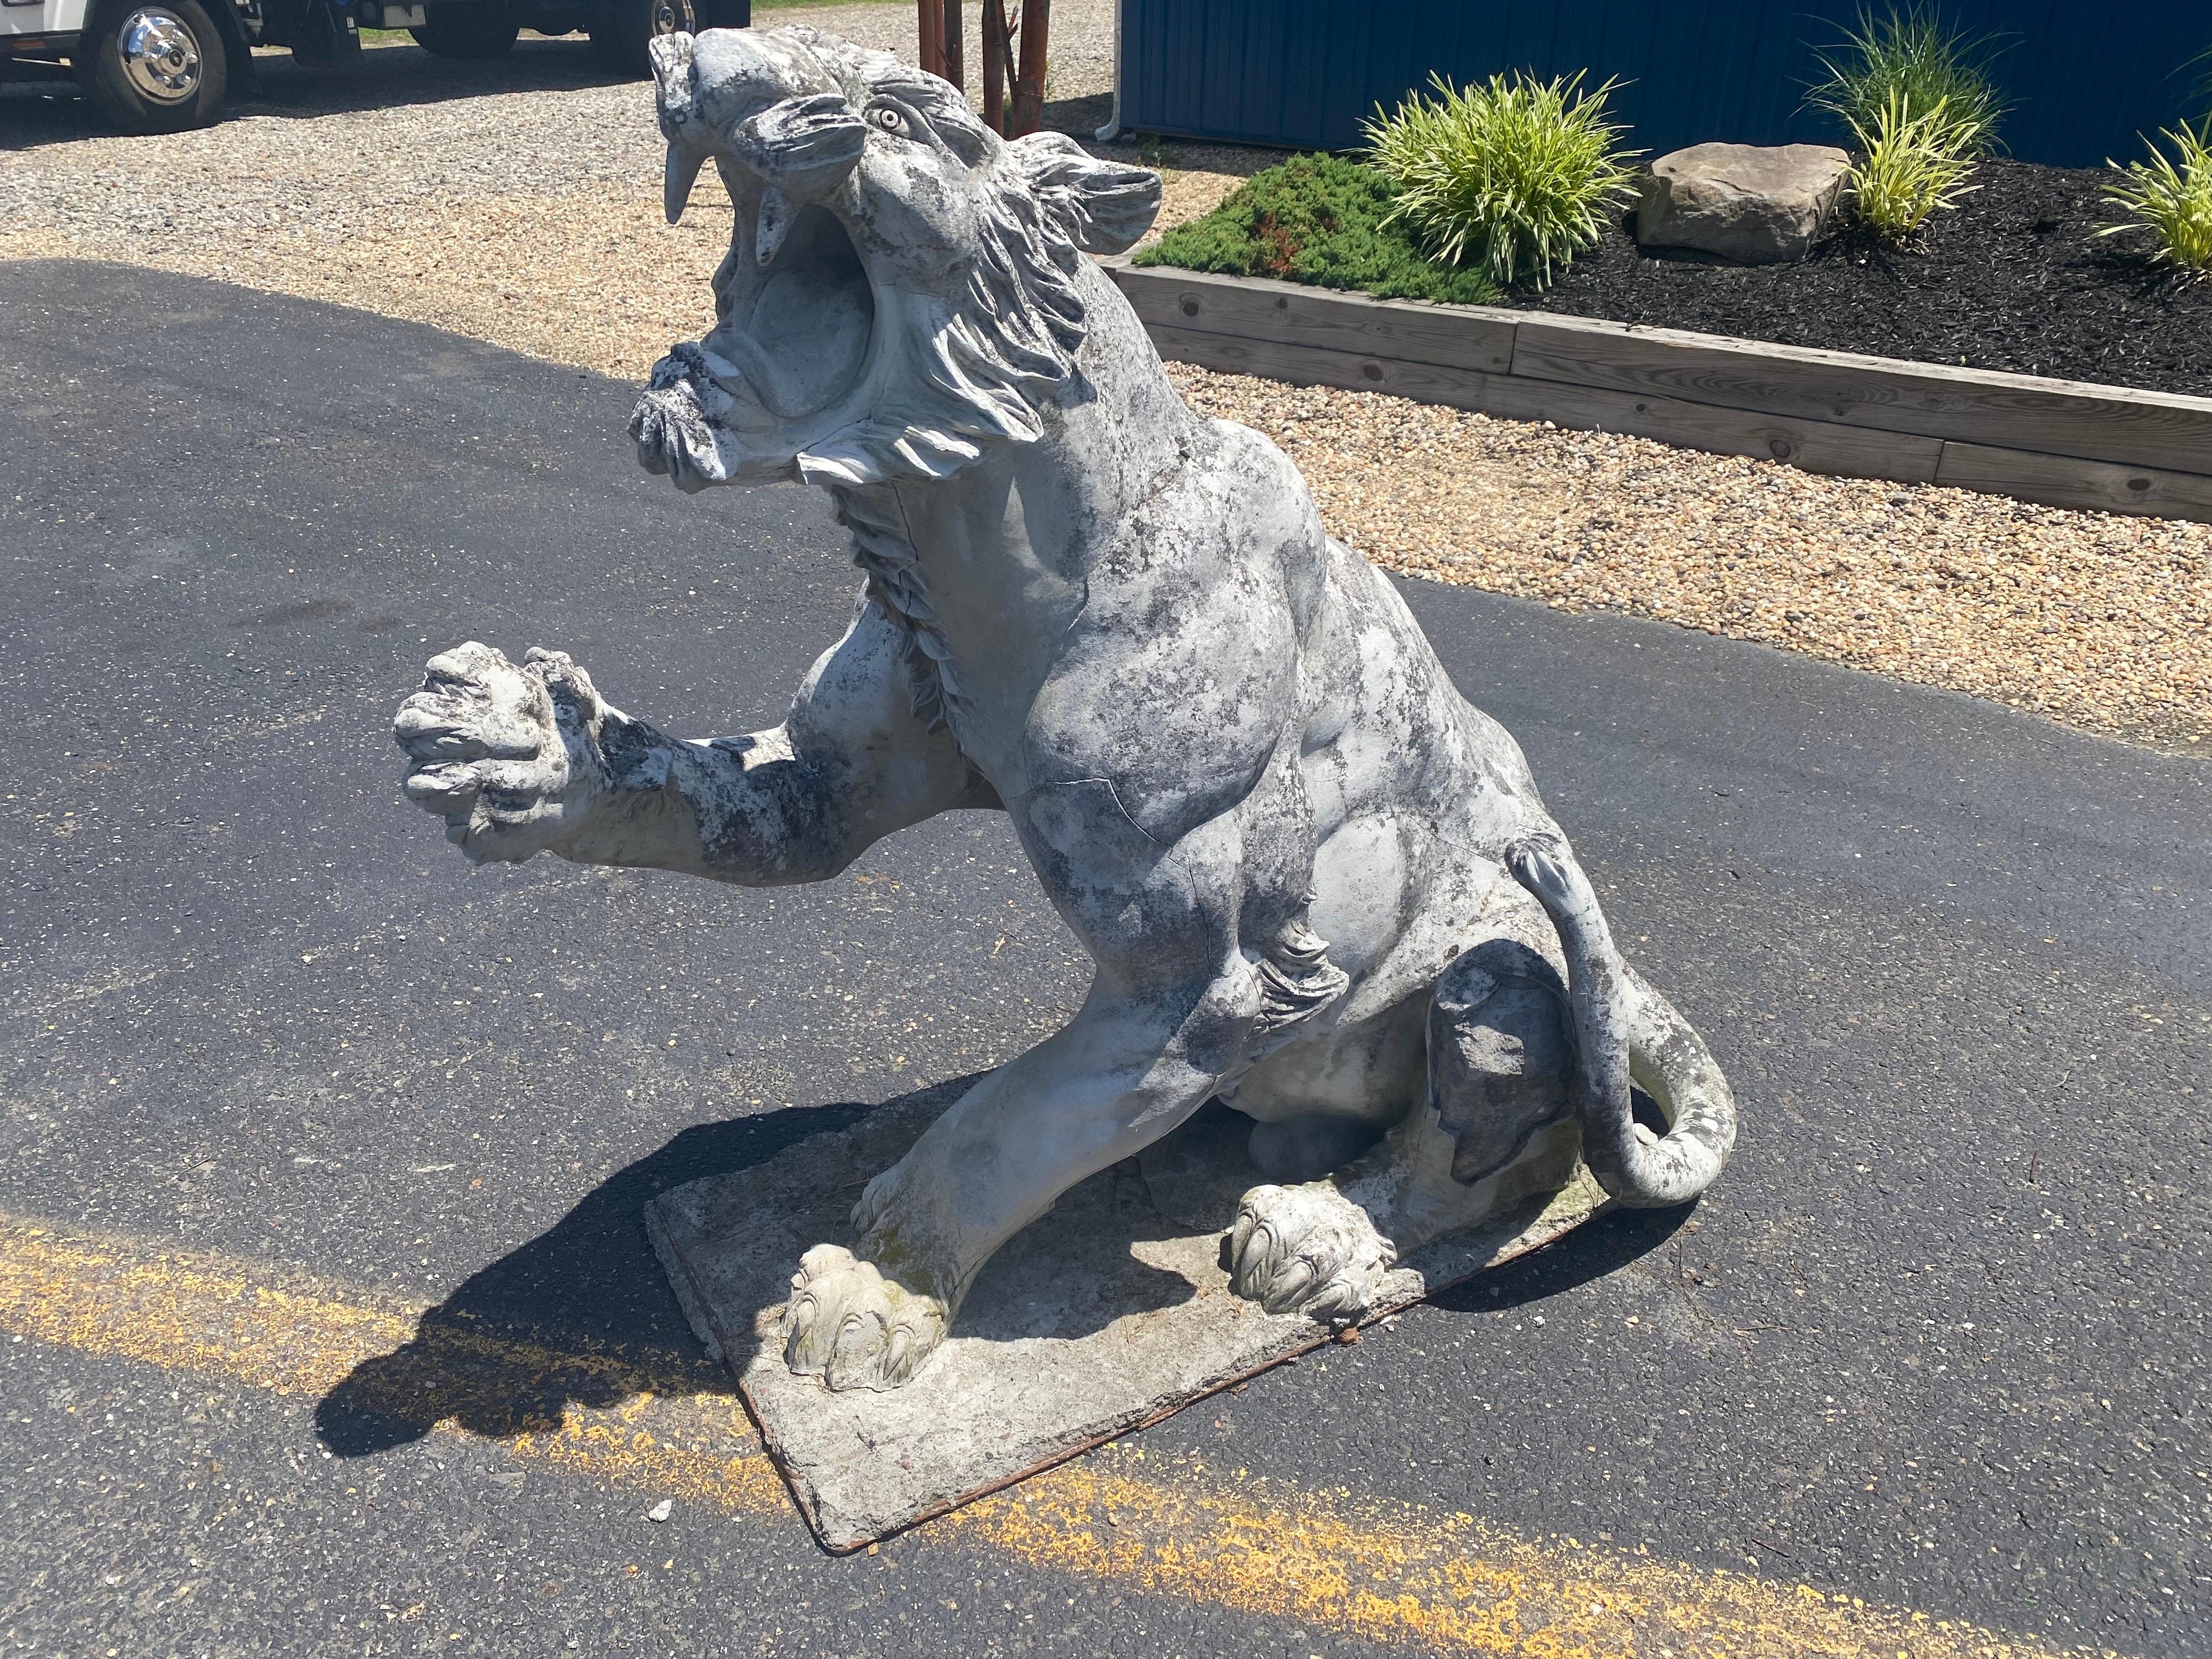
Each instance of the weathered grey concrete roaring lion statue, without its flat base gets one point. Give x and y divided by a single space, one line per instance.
1315 881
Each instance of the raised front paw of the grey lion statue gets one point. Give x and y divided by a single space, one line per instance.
505 753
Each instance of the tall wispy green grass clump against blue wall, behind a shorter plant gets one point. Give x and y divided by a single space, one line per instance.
1912 59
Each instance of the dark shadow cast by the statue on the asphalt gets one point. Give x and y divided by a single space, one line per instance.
583 1315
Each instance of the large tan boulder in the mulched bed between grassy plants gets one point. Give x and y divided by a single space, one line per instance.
1746 202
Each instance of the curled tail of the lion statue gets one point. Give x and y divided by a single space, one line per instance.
1629 1034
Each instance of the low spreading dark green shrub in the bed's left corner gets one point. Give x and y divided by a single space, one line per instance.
1317 220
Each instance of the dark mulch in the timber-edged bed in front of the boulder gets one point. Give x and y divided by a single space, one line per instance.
2014 280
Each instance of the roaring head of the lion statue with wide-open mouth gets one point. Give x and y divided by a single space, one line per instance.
901 286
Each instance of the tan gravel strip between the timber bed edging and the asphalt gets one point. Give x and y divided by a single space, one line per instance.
2089 618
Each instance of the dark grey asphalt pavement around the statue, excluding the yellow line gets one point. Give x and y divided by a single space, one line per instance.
1937 1339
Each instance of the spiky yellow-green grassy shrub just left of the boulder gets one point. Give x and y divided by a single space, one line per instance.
1514 176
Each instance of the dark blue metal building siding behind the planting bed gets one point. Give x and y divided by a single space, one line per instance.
2085 76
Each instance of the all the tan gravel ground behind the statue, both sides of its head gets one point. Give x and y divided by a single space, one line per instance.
519 202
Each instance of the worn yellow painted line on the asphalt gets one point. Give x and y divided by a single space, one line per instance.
1353 1565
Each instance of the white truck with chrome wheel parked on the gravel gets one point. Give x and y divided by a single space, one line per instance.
167 65
